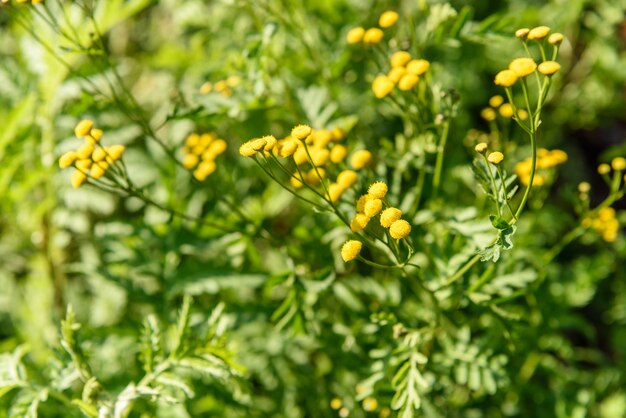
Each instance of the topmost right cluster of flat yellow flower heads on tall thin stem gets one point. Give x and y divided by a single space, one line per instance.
523 67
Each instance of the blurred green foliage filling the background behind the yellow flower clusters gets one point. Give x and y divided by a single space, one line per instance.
180 319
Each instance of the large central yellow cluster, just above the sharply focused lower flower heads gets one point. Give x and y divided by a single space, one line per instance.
312 150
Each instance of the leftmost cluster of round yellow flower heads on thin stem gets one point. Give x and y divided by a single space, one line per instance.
91 160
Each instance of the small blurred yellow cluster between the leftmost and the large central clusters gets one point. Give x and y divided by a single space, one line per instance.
200 152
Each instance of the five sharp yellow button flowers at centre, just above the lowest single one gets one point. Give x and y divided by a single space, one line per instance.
371 204
